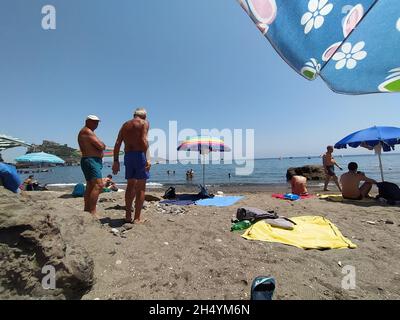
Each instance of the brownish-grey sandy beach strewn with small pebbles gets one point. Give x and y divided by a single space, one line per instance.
192 254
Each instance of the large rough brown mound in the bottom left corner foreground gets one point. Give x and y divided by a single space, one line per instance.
34 235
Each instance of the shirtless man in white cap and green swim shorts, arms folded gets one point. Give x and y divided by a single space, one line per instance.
91 162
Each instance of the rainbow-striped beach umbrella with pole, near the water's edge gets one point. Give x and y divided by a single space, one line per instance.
204 145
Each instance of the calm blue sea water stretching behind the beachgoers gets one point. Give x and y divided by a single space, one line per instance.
266 171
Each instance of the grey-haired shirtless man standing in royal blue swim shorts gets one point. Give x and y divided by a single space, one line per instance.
133 134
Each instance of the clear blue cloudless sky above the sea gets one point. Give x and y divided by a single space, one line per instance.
202 63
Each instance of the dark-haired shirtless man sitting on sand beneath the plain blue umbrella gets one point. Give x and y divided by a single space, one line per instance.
351 183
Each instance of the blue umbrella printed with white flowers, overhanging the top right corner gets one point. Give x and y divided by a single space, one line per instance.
352 44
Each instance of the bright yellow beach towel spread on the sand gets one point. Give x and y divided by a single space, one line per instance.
310 232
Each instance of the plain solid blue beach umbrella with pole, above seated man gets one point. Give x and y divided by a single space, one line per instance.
374 138
